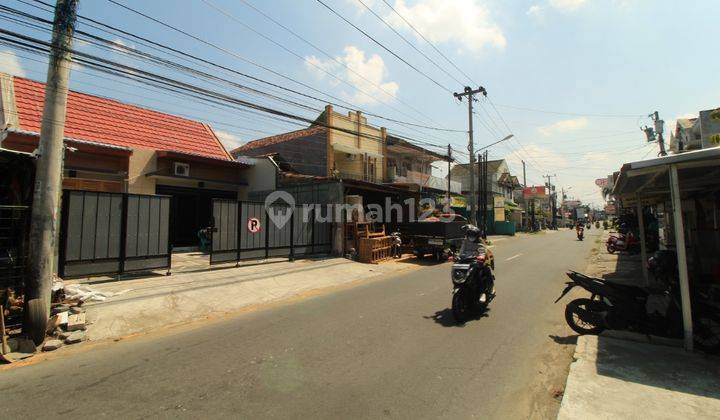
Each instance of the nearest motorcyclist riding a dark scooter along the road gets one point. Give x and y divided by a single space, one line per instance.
472 277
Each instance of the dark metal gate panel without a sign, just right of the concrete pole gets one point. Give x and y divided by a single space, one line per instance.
113 233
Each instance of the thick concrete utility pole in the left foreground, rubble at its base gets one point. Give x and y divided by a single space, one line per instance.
45 218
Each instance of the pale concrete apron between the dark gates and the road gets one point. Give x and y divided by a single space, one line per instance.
141 305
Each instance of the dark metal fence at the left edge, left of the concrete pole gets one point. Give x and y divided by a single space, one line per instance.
13 244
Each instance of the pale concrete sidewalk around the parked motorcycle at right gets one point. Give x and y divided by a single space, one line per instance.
628 375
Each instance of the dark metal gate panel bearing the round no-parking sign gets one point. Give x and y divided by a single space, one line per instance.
244 230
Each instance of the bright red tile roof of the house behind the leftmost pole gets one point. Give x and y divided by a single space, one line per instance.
111 122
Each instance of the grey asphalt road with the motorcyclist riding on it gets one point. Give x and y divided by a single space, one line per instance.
386 348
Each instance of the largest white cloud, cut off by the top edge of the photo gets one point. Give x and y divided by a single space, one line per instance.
465 22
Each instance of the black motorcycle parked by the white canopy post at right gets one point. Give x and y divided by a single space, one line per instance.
616 306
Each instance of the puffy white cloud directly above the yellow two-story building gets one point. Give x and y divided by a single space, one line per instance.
369 74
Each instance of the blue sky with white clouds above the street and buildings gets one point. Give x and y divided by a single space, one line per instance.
572 80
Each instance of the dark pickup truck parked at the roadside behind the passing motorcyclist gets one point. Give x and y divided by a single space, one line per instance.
433 236
